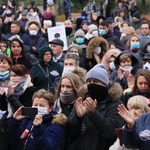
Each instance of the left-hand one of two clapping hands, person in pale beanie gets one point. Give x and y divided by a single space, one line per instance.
80 107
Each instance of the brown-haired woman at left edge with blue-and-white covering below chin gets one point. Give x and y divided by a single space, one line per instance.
5 65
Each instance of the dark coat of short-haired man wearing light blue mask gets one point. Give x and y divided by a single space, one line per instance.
110 37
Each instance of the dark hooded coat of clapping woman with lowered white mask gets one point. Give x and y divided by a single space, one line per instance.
135 63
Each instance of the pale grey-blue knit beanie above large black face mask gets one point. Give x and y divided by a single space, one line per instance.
98 72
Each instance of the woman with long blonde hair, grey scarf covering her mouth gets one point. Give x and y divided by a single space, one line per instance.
67 93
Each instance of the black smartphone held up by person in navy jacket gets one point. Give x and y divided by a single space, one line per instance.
29 111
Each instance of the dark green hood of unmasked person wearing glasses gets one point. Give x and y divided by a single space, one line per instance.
42 51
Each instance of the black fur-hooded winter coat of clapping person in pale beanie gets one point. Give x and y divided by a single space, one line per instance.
97 131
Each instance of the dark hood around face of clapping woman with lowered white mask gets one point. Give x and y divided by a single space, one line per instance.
135 60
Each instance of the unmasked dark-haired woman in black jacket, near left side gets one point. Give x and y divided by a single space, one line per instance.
18 54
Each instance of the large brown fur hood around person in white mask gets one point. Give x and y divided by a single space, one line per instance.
96 42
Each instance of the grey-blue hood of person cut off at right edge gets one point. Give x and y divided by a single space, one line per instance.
145 40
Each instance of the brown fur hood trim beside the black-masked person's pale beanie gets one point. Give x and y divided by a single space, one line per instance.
115 91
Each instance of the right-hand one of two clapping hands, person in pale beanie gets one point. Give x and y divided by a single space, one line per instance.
90 105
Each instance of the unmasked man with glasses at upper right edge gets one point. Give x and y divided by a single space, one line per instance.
144 29
